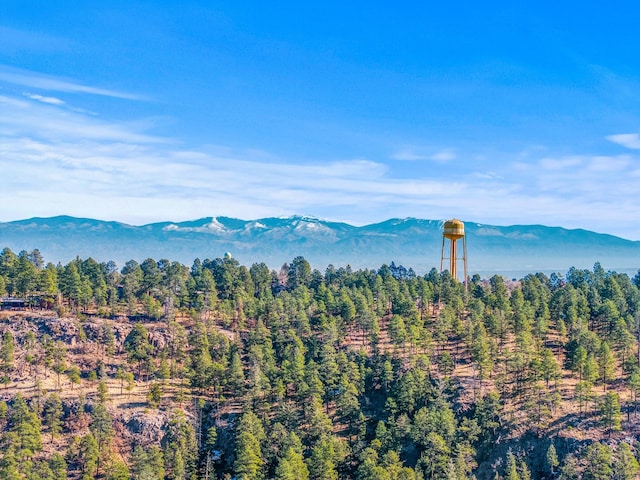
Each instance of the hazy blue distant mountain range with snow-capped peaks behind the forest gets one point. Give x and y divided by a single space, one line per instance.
512 251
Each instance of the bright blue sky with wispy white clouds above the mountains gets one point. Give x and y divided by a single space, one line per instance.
353 111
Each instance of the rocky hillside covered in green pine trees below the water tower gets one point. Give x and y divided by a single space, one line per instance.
217 370
